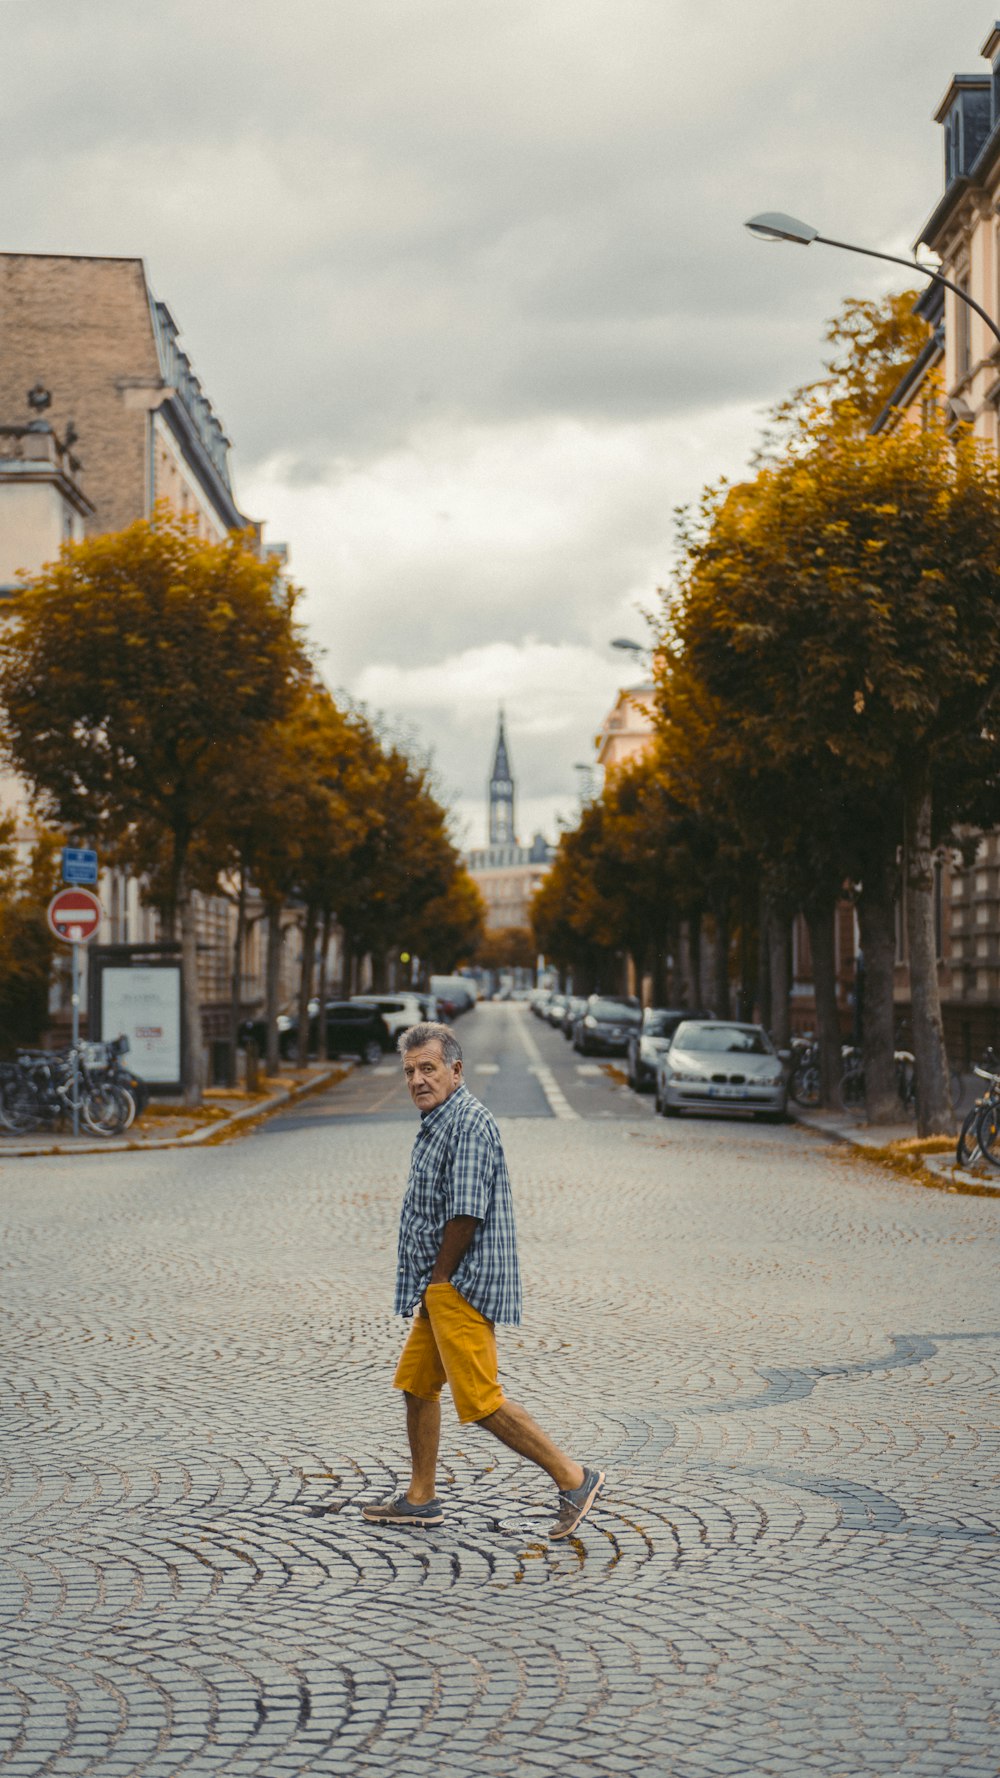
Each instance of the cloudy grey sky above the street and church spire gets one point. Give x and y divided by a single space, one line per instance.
469 287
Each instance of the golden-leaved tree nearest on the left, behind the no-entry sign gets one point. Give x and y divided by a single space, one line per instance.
134 675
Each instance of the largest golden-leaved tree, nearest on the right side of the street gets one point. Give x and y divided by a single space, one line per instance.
843 614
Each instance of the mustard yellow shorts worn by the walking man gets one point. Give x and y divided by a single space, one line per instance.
451 1345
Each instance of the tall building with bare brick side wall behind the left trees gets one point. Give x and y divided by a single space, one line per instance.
88 346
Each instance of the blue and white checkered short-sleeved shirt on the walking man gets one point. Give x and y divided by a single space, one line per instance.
458 1169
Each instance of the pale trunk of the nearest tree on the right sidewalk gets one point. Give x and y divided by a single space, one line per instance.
935 1116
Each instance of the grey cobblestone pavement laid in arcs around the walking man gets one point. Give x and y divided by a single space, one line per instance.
786 1359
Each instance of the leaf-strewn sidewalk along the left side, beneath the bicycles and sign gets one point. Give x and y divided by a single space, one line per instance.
172 1125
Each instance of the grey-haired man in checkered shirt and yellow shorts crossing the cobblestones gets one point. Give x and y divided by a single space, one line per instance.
458 1267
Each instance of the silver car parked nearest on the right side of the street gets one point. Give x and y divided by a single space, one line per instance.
720 1064
